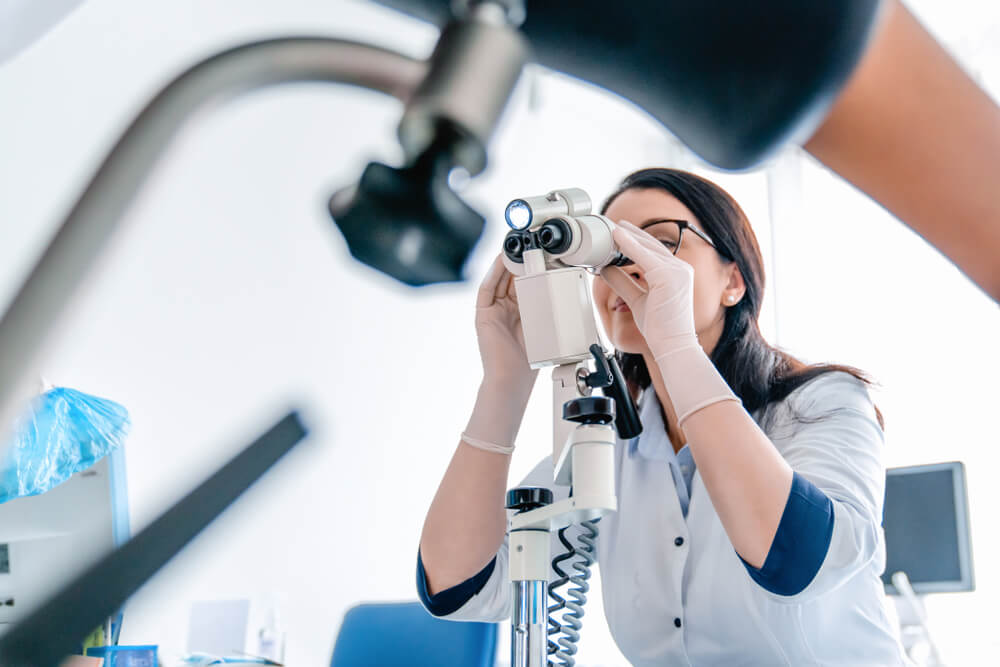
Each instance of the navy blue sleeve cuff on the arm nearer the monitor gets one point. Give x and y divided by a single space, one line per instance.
801 543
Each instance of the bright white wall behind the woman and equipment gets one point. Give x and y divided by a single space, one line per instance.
230 296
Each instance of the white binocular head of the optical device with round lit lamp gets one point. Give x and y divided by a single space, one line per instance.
561 225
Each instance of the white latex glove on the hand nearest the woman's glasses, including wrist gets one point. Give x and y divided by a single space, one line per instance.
664 314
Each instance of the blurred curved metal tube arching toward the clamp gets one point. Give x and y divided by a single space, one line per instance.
87 229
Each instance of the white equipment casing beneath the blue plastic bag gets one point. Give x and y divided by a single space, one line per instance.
47 539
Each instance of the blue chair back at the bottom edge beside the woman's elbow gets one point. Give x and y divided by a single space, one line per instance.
404 633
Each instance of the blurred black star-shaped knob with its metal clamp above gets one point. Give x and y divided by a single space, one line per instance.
407 222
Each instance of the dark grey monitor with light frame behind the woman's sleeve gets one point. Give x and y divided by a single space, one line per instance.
926 528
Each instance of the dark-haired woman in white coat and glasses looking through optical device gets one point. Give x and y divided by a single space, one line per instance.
749 521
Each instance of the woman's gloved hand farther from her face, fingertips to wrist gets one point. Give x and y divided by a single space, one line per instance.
499 330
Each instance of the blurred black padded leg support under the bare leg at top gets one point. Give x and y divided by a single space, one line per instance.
733 80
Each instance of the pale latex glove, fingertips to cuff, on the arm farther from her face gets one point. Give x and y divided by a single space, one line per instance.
507 376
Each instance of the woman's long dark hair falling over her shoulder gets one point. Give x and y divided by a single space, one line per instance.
759 373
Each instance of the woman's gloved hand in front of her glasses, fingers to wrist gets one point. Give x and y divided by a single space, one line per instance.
664 310
